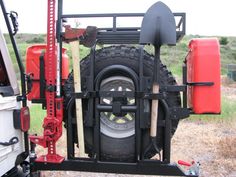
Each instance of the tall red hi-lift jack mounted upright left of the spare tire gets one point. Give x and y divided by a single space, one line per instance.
53 121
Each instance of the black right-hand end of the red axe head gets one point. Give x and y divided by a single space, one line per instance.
89 37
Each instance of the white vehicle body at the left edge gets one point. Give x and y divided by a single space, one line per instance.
8 103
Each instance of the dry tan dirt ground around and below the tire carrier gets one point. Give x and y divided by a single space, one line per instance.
211 143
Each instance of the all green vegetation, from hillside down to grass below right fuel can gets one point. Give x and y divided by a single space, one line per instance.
172 57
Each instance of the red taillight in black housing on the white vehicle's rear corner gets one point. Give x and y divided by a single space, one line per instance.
22 119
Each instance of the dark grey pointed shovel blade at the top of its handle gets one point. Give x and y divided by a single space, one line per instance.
158 26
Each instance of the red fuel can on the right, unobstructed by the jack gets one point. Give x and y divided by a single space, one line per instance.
203 66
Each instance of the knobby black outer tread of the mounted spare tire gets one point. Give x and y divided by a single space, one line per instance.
131 55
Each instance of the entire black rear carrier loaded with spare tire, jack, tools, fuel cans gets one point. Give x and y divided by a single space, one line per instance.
146 101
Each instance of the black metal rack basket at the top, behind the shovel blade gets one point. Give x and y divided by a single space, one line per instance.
125 35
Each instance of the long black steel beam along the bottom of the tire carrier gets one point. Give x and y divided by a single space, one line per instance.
147 167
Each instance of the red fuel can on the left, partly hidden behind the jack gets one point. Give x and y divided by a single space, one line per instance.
33 67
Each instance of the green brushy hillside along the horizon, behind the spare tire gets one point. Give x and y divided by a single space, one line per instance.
172 57
